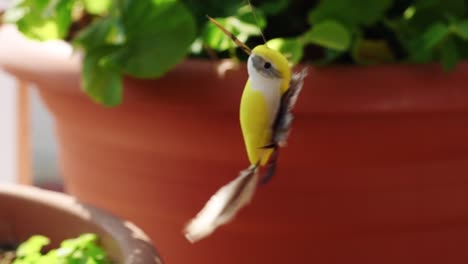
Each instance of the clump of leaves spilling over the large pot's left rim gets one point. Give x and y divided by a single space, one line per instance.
119 37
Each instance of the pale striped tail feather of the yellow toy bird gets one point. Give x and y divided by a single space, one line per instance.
223 205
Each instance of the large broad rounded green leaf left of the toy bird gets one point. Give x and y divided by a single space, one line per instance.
158 36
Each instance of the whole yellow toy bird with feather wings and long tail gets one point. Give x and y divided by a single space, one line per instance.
265 117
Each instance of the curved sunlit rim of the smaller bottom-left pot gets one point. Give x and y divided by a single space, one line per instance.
128 236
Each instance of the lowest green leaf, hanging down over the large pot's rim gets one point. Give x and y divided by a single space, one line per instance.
102 84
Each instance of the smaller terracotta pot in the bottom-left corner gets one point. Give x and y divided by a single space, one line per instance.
27 211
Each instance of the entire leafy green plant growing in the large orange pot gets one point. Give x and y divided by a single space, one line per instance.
146 38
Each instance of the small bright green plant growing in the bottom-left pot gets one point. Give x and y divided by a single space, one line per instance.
83 249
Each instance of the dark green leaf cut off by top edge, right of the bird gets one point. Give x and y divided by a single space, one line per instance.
350 12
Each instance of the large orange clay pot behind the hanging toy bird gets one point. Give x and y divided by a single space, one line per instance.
376 170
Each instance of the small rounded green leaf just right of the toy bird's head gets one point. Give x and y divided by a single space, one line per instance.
329 34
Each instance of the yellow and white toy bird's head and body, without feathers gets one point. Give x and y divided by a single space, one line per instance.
261 100
